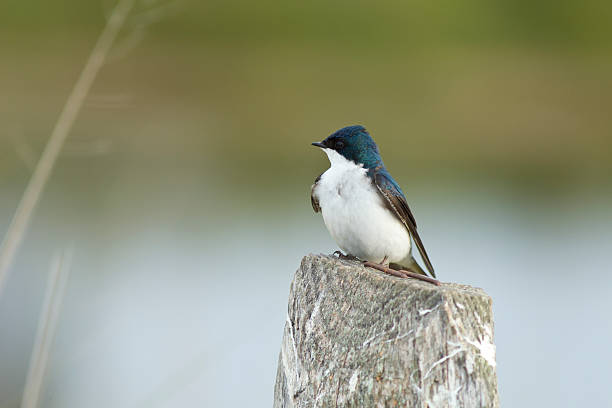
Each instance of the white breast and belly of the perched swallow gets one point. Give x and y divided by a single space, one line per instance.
355 214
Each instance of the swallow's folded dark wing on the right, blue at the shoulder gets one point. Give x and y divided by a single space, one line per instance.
396 202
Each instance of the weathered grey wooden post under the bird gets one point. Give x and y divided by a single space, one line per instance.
357 337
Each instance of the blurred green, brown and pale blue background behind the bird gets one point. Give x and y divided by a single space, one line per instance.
184 184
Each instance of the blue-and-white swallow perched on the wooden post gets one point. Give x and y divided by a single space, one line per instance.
364 208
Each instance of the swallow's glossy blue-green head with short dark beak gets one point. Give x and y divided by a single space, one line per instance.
353 143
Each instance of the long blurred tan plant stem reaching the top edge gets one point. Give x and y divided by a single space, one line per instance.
42 172
